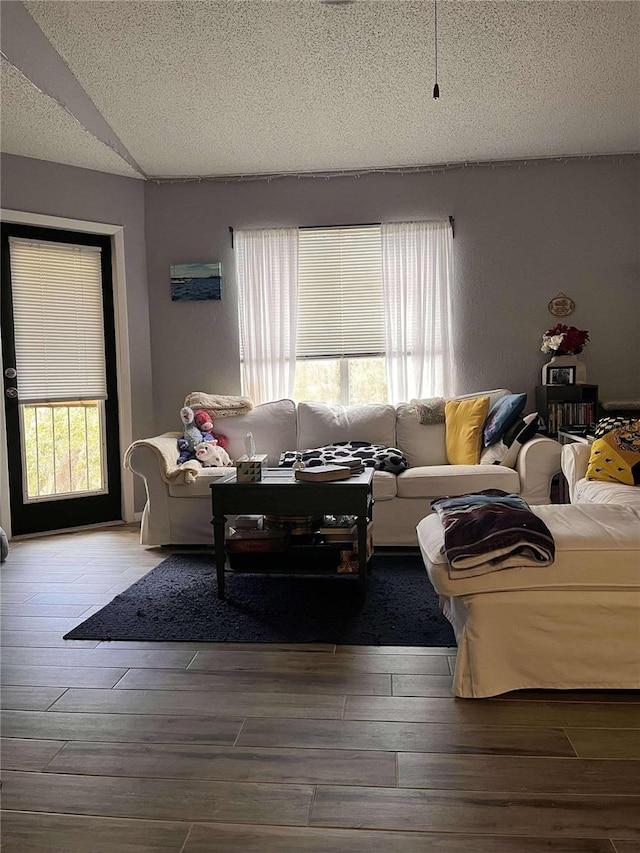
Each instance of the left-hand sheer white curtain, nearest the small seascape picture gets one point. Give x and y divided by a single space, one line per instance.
267 270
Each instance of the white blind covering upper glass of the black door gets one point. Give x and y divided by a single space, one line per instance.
58 321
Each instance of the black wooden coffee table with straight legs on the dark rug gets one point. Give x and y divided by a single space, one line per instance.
278 493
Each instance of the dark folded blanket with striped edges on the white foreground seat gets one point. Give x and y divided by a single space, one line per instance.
491 530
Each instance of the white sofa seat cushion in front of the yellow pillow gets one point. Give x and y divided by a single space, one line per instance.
434 481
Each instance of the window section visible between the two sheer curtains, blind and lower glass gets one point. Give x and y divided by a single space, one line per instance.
340 341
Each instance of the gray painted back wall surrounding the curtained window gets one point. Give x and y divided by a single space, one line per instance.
523 233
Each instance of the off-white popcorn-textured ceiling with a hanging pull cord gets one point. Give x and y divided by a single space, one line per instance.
260 87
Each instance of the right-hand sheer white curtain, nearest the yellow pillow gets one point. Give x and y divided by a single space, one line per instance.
416 274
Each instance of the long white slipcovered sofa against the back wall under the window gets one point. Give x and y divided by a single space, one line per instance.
178 508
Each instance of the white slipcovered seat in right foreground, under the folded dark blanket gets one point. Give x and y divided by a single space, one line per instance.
572 625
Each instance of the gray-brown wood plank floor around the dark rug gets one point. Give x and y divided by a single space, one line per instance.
228 748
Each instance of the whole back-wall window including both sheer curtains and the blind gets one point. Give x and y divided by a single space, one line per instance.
350 315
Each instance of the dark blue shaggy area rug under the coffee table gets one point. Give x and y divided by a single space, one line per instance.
177 601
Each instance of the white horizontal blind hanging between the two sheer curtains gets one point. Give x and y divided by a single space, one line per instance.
340 305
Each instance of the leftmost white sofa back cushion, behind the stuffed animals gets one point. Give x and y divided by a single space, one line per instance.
273 426
